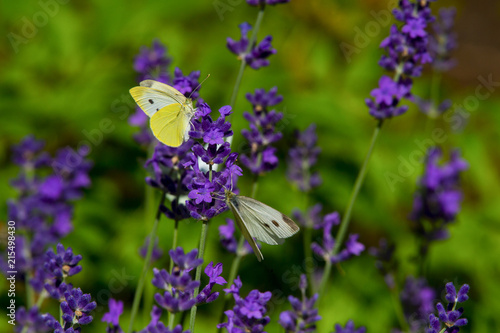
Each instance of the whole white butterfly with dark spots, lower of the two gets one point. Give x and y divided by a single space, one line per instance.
258 220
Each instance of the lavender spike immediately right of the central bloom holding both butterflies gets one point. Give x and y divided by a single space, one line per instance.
262 133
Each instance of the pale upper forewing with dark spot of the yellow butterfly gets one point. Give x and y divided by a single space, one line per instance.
152 96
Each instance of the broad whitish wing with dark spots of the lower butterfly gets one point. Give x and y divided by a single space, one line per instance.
265 223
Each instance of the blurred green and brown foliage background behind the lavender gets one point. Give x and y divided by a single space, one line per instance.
72 73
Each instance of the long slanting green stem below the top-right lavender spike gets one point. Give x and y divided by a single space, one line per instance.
344 225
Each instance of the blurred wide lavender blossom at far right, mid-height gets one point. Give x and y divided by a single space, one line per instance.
439 196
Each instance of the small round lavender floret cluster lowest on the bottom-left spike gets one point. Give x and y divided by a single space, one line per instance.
77 307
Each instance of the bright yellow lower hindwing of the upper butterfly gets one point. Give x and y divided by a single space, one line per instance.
170 124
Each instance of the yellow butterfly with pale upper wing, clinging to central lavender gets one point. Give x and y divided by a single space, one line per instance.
169 110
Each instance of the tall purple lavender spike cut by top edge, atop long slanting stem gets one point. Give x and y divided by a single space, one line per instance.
407 50
